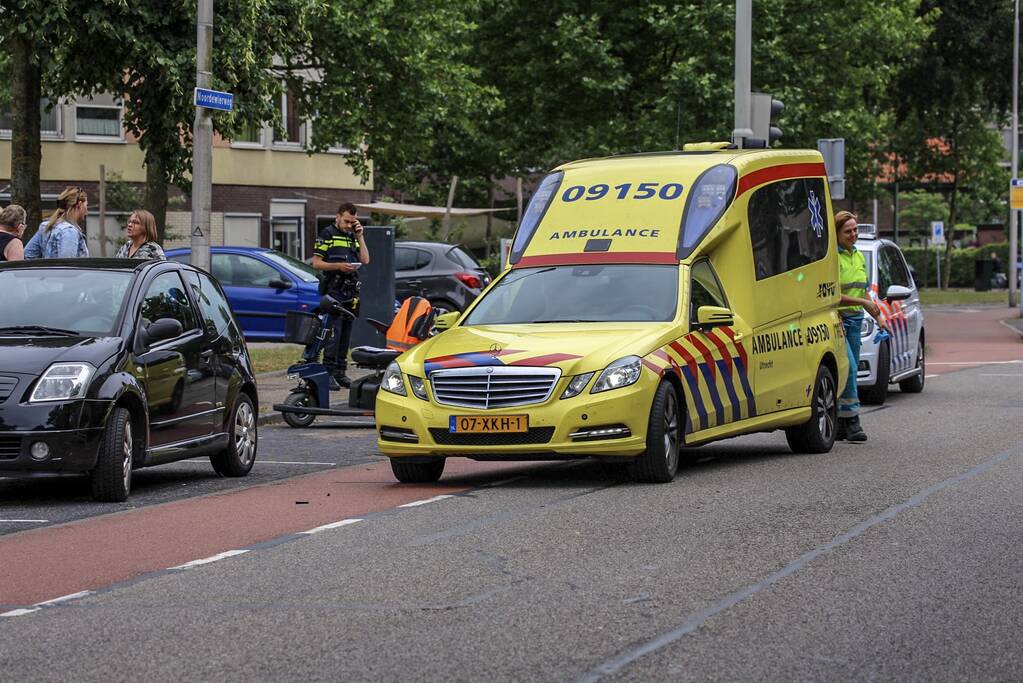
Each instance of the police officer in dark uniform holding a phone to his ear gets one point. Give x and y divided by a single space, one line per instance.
338 253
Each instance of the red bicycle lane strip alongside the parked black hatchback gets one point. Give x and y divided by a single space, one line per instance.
91 555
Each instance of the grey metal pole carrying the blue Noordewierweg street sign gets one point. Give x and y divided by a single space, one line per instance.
202 144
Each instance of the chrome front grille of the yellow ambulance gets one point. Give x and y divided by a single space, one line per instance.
494 388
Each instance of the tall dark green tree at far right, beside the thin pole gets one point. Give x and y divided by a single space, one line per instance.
951 96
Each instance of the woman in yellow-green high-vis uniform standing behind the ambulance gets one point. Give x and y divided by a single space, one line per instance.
855 284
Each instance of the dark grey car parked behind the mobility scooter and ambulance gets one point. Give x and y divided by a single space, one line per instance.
446 275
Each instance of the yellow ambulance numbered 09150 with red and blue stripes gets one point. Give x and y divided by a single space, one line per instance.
653 302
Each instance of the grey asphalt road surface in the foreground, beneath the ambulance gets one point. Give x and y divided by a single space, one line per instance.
898 560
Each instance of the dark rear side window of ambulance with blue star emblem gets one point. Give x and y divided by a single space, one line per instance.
788 229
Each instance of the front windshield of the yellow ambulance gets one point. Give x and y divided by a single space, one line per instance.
581 294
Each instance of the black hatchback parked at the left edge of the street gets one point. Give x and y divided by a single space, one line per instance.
112 366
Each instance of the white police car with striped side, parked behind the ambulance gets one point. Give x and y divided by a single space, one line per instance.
900 359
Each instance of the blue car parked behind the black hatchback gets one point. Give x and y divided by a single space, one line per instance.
261 286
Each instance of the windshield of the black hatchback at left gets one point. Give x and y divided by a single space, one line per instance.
84 302
